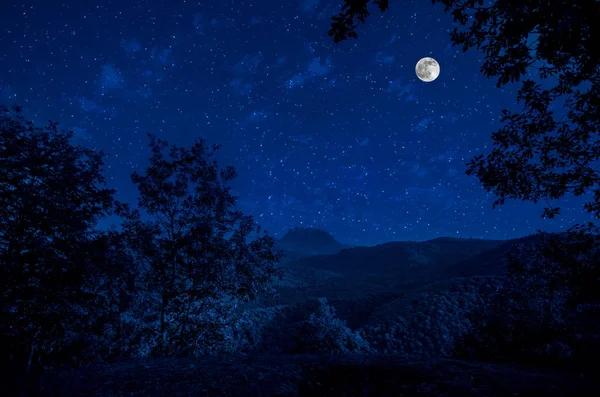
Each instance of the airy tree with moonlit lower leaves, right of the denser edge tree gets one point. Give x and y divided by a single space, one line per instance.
198 254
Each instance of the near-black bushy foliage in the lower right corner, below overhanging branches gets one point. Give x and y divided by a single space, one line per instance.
547 312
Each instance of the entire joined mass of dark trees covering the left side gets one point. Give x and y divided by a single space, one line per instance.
165 281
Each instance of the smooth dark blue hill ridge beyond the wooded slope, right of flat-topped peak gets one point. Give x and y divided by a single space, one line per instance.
394 267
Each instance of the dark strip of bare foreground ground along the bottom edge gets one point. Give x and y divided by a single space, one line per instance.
308 375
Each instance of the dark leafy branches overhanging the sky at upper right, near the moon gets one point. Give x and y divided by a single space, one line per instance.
537 154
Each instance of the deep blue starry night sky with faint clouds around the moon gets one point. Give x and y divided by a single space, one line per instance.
340 137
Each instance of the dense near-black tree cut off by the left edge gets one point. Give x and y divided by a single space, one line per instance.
51 195
